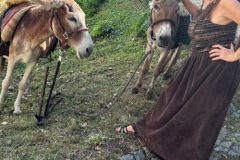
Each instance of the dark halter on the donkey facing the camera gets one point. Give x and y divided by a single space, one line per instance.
174 25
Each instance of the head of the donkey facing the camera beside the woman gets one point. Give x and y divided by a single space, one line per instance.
164 21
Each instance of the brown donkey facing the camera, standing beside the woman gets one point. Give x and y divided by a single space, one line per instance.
162 37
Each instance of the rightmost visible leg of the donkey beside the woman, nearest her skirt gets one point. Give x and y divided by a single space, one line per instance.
175 55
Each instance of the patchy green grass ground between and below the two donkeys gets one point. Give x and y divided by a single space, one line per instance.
103 75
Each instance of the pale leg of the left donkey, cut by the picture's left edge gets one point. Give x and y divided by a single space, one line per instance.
6 81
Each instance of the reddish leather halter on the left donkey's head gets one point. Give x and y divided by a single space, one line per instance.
65 34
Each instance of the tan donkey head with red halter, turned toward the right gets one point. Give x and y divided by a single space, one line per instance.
69 26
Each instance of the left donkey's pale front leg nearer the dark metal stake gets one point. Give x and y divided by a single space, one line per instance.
22 86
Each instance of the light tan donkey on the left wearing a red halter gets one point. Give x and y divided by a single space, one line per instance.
64 20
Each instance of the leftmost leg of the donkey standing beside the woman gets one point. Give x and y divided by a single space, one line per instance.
144 70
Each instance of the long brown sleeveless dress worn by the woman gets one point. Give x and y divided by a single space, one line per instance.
185 122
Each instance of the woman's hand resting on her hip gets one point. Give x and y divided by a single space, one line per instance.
219 52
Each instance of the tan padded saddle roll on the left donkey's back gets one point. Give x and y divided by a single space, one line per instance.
11 19
